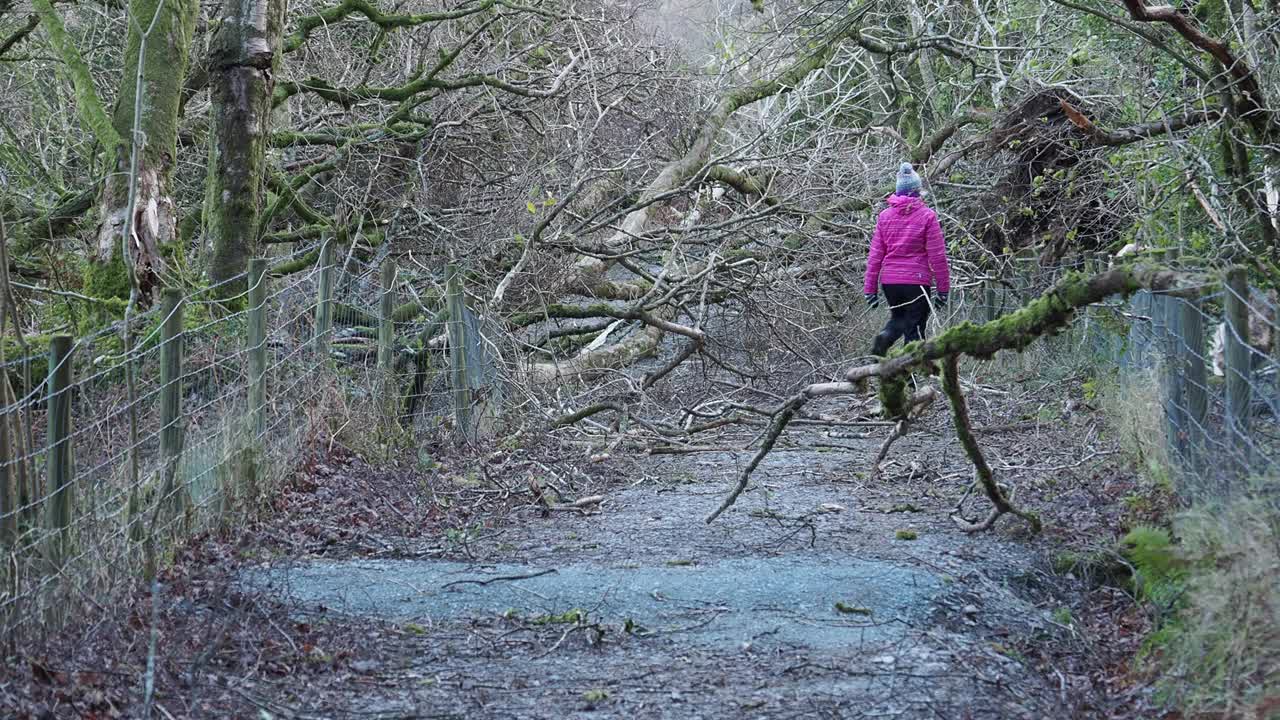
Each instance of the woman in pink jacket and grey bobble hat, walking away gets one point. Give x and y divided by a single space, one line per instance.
908 257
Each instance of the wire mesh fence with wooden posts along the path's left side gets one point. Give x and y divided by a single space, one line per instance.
99 481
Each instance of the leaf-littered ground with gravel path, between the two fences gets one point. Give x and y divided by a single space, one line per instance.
383 593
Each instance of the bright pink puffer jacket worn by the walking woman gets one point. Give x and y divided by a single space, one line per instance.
908 248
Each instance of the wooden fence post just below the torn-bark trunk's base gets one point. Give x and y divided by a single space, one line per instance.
171 399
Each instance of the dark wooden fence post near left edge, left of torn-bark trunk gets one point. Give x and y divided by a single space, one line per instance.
60 458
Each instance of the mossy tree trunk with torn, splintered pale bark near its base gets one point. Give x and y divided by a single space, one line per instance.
156 66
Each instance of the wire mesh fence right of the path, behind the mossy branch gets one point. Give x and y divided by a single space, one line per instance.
1208 367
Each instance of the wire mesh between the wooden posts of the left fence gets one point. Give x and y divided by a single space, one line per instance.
51 575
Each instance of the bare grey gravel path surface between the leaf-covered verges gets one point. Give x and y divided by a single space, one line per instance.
808 600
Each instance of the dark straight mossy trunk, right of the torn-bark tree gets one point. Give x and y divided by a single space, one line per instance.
244 54
